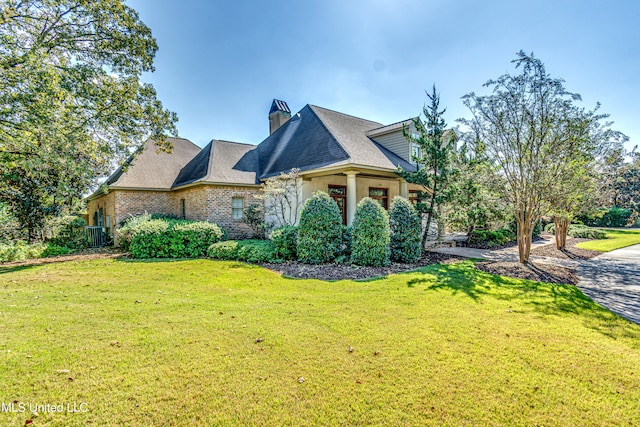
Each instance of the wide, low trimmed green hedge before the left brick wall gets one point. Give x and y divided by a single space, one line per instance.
167 238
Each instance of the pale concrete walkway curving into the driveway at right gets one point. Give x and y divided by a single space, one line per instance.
611 279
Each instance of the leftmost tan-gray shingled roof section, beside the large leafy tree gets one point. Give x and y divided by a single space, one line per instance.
154 169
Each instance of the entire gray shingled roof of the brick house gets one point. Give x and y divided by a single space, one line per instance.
313 138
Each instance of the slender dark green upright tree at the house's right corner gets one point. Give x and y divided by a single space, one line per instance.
434 159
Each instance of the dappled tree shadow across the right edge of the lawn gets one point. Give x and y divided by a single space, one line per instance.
547 299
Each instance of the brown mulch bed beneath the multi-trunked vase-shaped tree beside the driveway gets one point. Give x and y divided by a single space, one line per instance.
538 272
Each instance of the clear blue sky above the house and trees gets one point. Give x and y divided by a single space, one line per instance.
221 63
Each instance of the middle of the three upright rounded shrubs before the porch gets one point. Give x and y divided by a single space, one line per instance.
370 242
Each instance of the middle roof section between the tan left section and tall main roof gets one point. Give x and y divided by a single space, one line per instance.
220 162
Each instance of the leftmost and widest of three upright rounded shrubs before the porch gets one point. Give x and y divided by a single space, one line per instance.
319 233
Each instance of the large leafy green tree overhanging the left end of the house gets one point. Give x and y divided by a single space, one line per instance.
71 101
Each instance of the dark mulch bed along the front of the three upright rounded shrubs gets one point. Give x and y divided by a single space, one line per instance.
351 272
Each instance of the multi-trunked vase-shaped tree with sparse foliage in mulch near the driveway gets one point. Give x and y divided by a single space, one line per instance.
531 128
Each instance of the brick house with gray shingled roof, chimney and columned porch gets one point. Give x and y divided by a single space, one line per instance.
346 156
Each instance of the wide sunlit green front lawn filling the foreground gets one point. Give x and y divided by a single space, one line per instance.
202 342
